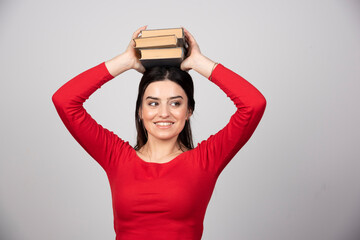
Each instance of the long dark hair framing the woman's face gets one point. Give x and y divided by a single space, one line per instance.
161 73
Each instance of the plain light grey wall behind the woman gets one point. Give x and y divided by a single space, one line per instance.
296 178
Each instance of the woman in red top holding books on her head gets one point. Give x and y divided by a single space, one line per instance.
161 188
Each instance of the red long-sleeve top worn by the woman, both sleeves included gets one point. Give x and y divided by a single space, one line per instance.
162 201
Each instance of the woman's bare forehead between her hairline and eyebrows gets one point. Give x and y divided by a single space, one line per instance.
165 88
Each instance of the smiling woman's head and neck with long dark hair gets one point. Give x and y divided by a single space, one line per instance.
163 108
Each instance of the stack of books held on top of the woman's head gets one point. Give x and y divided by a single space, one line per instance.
159 47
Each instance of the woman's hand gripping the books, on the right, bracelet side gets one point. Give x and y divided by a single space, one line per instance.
193 52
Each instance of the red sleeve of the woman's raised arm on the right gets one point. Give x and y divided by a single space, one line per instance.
219 149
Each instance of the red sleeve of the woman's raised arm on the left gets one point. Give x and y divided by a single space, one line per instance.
102 144
